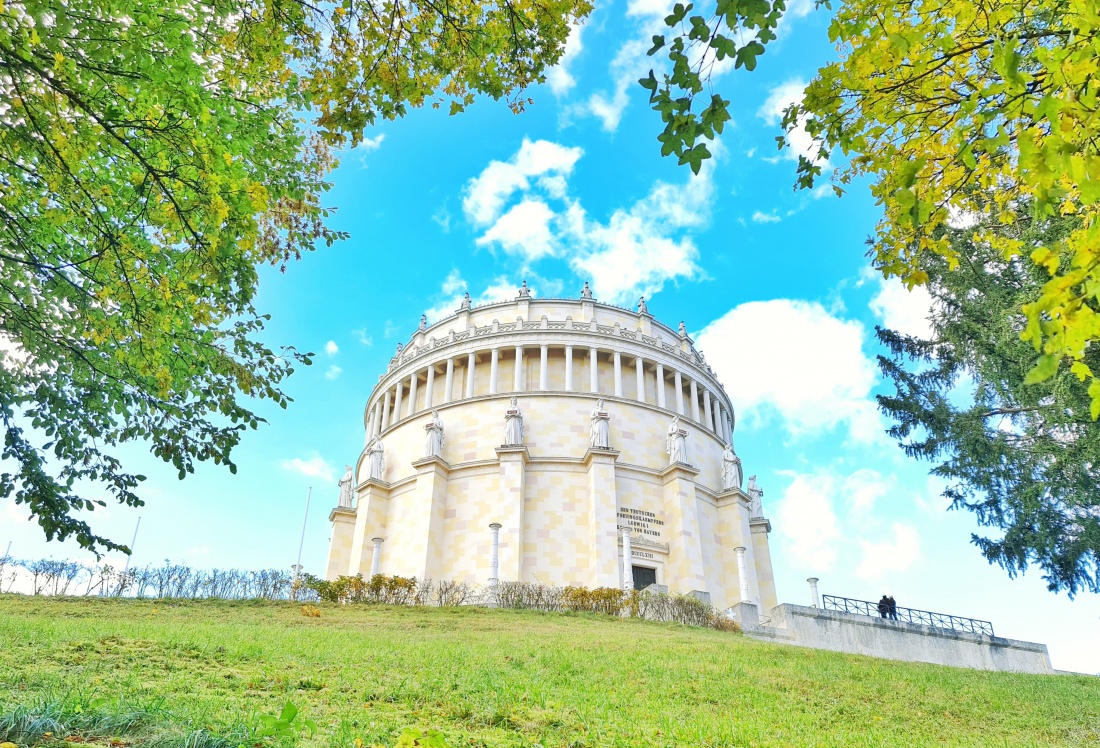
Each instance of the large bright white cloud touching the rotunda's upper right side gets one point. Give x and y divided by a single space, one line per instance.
796 360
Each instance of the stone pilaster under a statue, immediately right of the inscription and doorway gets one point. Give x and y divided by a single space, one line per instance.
686 551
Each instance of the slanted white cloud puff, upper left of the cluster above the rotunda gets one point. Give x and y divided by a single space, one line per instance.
487 194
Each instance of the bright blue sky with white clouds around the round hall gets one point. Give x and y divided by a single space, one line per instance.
774 284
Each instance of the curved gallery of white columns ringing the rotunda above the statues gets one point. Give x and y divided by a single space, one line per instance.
388 410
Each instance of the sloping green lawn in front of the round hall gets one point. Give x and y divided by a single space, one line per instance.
193 674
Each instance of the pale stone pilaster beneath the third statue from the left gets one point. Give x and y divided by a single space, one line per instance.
426 504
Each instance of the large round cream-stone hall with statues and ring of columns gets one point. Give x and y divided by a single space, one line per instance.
568 434
